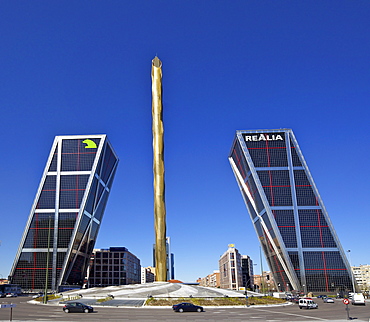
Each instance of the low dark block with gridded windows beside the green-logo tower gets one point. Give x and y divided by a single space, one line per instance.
114 266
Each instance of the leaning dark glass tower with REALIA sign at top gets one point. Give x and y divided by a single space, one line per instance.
294 229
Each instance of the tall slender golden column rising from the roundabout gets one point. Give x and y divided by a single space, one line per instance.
158 171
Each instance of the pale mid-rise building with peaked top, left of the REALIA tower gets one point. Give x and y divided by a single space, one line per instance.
230 267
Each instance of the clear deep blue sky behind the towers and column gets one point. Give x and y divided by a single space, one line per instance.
83 67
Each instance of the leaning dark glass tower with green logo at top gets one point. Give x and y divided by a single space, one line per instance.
64 221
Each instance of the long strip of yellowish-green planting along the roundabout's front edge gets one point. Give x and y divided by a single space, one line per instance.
217 301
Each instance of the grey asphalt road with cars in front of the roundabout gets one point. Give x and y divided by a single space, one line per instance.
326 312
